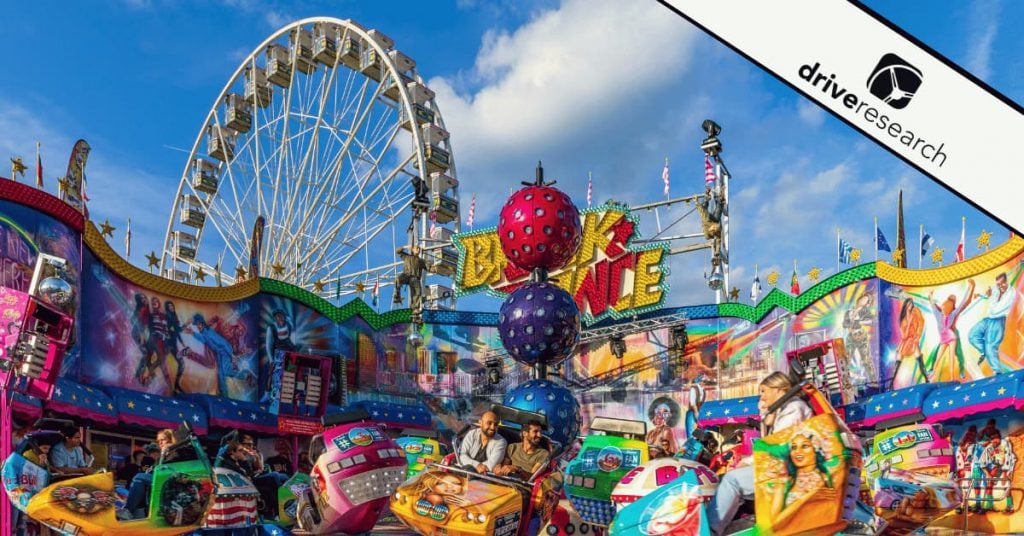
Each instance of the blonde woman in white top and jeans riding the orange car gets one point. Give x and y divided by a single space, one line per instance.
738 485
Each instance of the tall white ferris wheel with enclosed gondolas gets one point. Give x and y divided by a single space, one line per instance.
323 157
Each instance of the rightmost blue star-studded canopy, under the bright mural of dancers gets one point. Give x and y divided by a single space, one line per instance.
960 401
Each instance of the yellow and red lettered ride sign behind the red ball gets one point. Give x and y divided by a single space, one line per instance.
610 276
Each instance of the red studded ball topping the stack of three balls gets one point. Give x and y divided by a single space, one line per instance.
539 227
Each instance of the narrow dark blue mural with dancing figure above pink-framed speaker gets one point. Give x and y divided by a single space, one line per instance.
288 326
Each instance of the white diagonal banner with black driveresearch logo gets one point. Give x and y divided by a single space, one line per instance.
923 108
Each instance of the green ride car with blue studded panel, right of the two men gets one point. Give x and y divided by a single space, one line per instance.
613 449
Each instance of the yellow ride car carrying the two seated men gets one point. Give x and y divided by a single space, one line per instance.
450 501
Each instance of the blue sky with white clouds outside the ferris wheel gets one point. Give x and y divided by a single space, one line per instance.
602 87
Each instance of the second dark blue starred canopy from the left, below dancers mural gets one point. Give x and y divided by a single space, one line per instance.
156 411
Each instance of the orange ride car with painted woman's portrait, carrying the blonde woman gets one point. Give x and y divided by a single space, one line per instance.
831 507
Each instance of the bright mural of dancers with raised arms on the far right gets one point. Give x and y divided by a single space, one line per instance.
960 332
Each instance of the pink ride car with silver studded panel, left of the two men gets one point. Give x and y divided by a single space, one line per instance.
358 469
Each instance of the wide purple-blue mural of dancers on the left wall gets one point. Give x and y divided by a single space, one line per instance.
147 342
